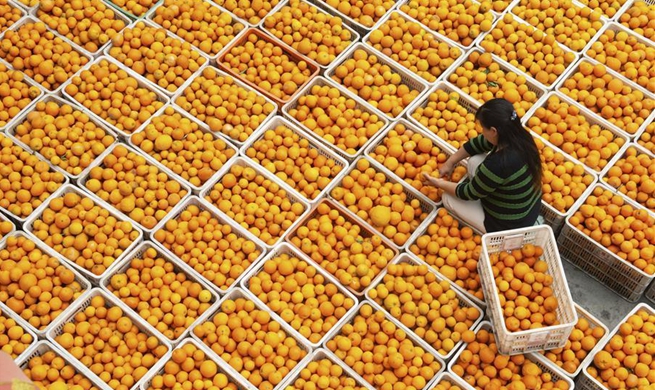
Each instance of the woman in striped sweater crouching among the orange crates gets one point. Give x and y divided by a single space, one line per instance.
503 190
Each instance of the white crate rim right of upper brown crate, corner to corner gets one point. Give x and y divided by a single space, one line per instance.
408 78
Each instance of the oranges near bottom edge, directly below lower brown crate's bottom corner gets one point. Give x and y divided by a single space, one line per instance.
382 353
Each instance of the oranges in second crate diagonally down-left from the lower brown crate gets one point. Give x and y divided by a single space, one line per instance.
251 342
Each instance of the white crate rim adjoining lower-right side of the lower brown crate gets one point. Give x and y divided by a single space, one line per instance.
463 302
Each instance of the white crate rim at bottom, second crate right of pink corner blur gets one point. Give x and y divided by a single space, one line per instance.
82 304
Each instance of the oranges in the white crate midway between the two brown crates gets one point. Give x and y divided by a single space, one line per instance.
291 157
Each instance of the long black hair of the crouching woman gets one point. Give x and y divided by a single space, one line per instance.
500 114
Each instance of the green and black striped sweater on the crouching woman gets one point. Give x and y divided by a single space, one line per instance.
503 185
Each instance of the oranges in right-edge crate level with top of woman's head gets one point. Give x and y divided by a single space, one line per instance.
610 97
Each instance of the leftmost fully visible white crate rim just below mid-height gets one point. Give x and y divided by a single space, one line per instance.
93 278
